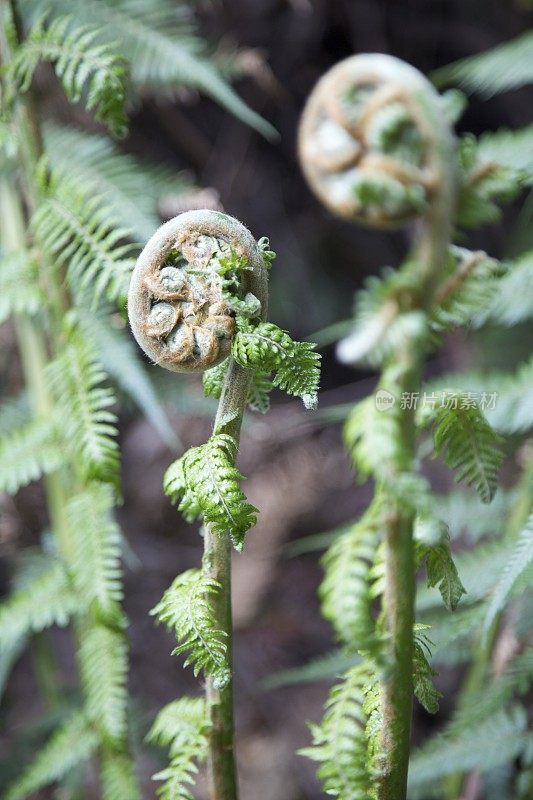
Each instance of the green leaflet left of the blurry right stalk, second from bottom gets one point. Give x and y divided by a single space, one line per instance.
345 591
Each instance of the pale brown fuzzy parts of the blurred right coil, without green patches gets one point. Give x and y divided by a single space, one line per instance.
333 146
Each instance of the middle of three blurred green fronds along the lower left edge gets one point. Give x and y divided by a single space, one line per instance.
47 599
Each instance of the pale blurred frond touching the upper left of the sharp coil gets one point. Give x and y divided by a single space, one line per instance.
131 188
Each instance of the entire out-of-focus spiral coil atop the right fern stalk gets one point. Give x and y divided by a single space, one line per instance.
369 138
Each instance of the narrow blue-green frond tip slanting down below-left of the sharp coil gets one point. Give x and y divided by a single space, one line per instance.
120 359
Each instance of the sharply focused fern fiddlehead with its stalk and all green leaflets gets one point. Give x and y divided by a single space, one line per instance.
198 303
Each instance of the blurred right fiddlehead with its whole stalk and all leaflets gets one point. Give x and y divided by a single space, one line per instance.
376 147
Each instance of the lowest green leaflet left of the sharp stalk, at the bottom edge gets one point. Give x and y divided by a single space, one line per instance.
183 727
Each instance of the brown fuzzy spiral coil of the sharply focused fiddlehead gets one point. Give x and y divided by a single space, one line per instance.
176 309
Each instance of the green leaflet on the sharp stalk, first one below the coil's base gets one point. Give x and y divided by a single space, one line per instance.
206 482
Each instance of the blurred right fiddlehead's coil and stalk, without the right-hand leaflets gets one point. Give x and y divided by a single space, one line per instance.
377 150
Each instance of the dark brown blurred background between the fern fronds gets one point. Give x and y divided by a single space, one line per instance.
298 472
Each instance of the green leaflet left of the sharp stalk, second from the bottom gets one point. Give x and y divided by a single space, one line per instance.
186 609
